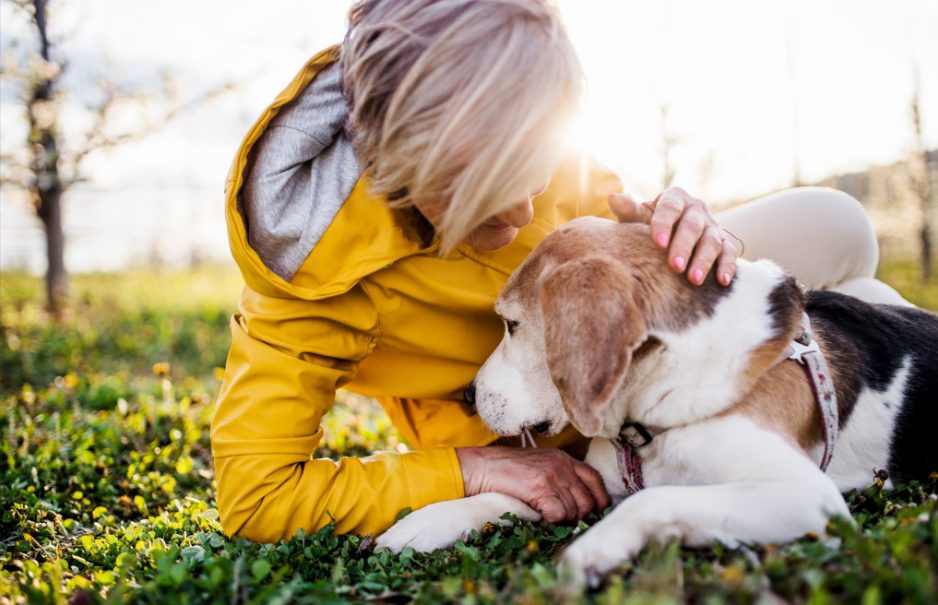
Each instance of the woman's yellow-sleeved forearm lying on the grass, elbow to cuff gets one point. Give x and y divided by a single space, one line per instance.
266 498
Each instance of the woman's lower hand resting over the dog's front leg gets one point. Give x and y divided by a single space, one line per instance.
548 480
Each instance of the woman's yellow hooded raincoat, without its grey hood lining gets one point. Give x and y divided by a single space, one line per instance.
372 311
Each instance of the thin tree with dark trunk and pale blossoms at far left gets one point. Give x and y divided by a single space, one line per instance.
51 165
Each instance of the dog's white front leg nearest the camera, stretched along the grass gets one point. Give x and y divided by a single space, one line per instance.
731 513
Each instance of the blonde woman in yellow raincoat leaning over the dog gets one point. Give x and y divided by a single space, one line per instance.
377 208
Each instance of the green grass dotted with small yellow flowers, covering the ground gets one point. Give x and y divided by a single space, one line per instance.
107 494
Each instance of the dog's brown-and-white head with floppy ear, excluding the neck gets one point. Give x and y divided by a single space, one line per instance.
574 317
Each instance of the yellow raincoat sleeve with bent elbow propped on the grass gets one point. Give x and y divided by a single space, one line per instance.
287 358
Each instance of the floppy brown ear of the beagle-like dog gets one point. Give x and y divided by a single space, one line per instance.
592 324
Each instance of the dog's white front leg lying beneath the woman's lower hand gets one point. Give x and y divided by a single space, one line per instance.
441 524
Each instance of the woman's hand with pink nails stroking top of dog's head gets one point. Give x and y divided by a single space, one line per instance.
682 224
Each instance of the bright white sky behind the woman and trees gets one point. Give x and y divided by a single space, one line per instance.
751 88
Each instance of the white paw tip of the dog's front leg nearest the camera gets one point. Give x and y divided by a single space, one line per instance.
605 546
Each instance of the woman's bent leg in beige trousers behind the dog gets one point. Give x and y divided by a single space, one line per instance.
821 235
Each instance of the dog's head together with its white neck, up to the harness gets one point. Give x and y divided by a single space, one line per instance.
598 331
